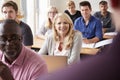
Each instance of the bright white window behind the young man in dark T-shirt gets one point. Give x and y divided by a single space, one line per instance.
34 12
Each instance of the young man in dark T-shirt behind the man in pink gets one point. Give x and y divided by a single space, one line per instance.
10 11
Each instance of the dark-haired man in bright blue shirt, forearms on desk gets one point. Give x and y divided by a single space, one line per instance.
88 25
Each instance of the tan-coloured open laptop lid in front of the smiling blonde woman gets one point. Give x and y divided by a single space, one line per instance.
55 62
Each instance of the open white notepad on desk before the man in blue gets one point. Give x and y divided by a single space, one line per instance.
98 44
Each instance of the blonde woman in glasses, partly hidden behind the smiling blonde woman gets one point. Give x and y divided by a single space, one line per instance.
46 26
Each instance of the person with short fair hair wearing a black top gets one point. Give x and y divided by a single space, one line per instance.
71 11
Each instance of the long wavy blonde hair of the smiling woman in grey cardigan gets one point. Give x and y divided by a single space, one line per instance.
68 41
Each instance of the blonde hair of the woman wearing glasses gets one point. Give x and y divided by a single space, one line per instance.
48 23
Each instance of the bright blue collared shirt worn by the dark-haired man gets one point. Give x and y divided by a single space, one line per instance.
93 29
